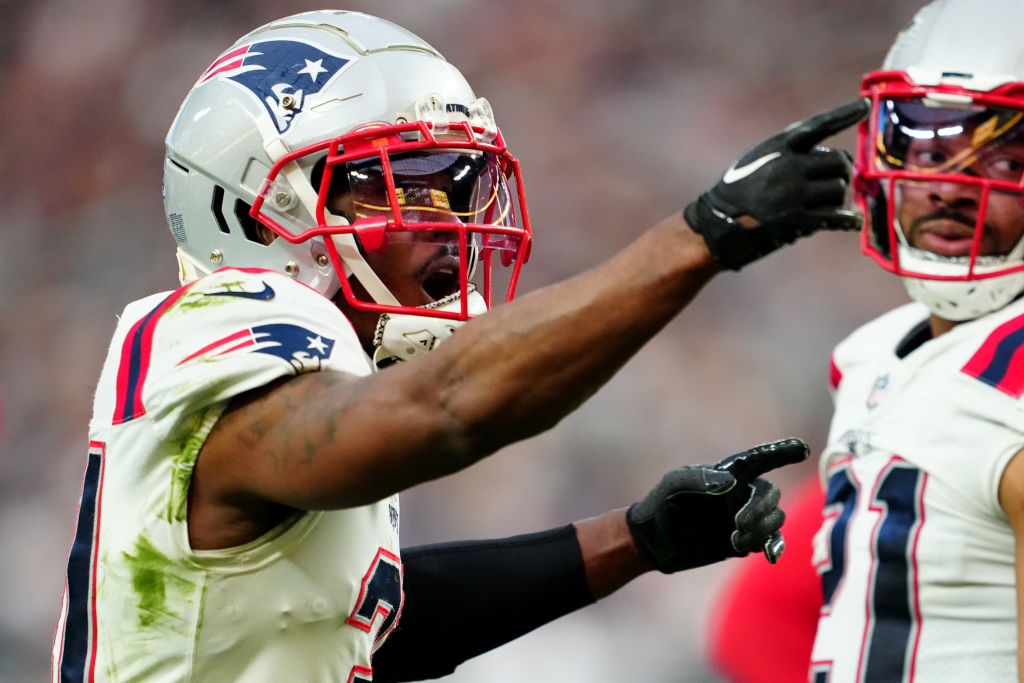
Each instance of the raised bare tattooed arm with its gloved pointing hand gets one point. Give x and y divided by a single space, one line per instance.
329 441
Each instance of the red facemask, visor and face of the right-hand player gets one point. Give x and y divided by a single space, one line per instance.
940 180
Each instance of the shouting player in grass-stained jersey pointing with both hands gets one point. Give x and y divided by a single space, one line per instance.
346 208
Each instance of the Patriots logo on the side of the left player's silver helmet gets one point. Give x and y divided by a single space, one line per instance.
281 73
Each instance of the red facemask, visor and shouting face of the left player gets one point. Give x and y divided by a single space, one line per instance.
409 219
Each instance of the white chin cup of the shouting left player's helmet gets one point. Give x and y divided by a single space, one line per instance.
401 337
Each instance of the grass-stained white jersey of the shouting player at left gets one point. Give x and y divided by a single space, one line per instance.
309 602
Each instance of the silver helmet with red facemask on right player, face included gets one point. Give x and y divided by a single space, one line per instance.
941 168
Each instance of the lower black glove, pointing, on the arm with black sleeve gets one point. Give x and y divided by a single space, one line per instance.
702 515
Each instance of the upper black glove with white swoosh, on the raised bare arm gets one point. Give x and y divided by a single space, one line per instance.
785 189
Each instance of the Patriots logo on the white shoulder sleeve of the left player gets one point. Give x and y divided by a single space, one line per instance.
304 350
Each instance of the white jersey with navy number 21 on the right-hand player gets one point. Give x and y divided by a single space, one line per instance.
916 556
